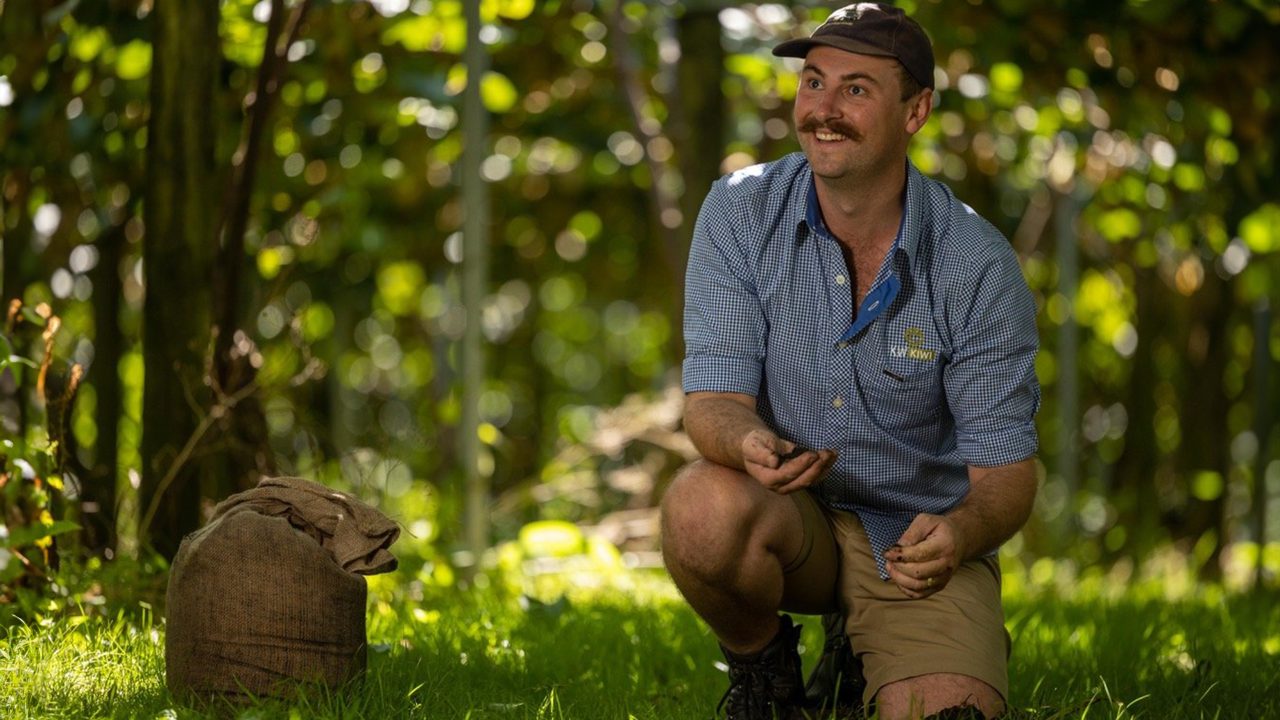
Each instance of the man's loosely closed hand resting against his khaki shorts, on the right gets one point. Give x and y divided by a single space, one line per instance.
926 557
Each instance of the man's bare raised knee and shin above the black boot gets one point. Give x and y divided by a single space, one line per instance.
725 540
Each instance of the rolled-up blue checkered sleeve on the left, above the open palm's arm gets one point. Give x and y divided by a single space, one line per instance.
725 325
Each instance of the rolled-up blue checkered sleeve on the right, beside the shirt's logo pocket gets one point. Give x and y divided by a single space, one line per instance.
991 380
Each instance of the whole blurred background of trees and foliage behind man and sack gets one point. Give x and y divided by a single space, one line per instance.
250 229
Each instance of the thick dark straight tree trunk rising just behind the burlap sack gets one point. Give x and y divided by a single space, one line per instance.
179 250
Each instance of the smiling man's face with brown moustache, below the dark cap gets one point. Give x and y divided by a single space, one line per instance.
851 120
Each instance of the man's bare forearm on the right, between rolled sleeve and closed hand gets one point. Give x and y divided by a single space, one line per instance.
999 504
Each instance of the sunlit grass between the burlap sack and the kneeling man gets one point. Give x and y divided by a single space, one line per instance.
630 651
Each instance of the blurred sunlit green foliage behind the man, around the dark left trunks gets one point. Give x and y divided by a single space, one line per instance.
1133 112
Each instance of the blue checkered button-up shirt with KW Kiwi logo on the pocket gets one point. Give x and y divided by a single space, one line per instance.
936 372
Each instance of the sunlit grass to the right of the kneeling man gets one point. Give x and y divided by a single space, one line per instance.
1153 645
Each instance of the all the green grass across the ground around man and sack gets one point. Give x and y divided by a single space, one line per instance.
633 650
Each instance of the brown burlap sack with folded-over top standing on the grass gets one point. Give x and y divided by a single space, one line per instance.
258 601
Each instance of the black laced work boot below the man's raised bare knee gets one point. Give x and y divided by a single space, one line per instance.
767 685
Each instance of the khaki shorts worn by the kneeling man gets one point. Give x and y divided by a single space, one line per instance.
959 630
